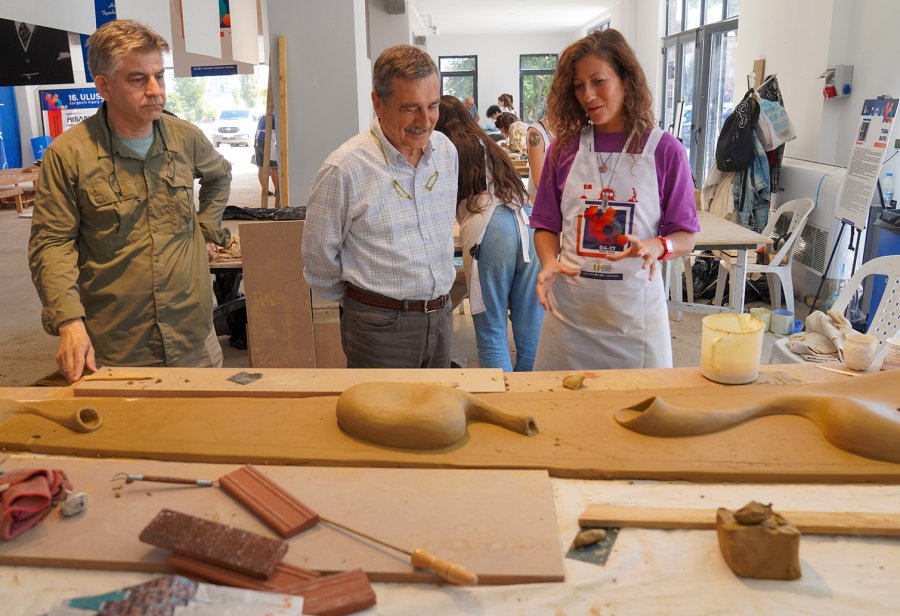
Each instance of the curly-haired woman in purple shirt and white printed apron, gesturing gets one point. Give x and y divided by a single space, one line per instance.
619 199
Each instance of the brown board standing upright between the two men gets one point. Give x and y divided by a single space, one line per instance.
279 312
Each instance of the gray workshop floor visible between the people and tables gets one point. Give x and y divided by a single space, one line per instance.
27 352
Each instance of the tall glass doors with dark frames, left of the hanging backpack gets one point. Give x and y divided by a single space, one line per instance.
698 75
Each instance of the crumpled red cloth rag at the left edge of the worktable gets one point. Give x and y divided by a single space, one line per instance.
31 494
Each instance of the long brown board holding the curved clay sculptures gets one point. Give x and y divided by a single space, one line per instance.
578 437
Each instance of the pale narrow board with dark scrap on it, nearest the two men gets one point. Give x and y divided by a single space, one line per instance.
275 382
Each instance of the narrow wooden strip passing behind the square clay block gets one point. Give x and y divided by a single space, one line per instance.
809 522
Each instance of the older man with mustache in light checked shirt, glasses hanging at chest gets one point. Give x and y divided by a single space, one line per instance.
379 224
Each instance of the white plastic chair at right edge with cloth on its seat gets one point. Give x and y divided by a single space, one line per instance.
885 322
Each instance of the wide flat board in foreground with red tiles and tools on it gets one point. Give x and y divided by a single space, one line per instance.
500 524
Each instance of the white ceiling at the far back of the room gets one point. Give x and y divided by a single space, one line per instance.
508 16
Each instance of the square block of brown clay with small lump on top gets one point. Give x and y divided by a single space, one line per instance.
757 542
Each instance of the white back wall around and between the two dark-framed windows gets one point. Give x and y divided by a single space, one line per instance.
498 59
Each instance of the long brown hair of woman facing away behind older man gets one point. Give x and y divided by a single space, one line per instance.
472 143
